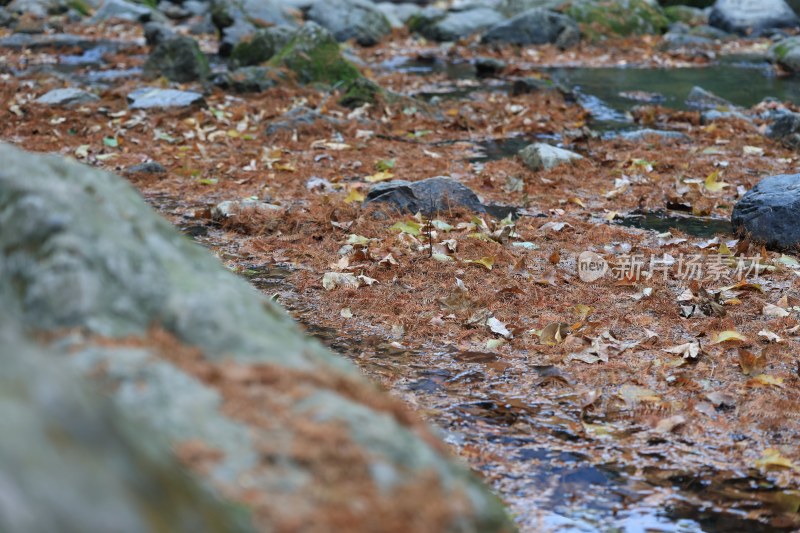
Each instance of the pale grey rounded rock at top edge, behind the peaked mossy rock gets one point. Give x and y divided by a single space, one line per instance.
351 19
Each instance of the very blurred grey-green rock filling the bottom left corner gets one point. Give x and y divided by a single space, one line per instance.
73 462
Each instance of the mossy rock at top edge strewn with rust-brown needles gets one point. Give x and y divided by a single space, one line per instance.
609 18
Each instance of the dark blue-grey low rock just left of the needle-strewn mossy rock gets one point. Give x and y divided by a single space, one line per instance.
535 26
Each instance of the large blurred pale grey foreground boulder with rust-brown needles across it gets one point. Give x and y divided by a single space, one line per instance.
269 418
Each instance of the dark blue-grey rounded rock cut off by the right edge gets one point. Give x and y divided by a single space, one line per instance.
770 212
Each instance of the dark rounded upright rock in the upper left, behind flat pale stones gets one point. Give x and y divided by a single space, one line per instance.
177 58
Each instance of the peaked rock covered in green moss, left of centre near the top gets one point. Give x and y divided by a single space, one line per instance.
314 56
